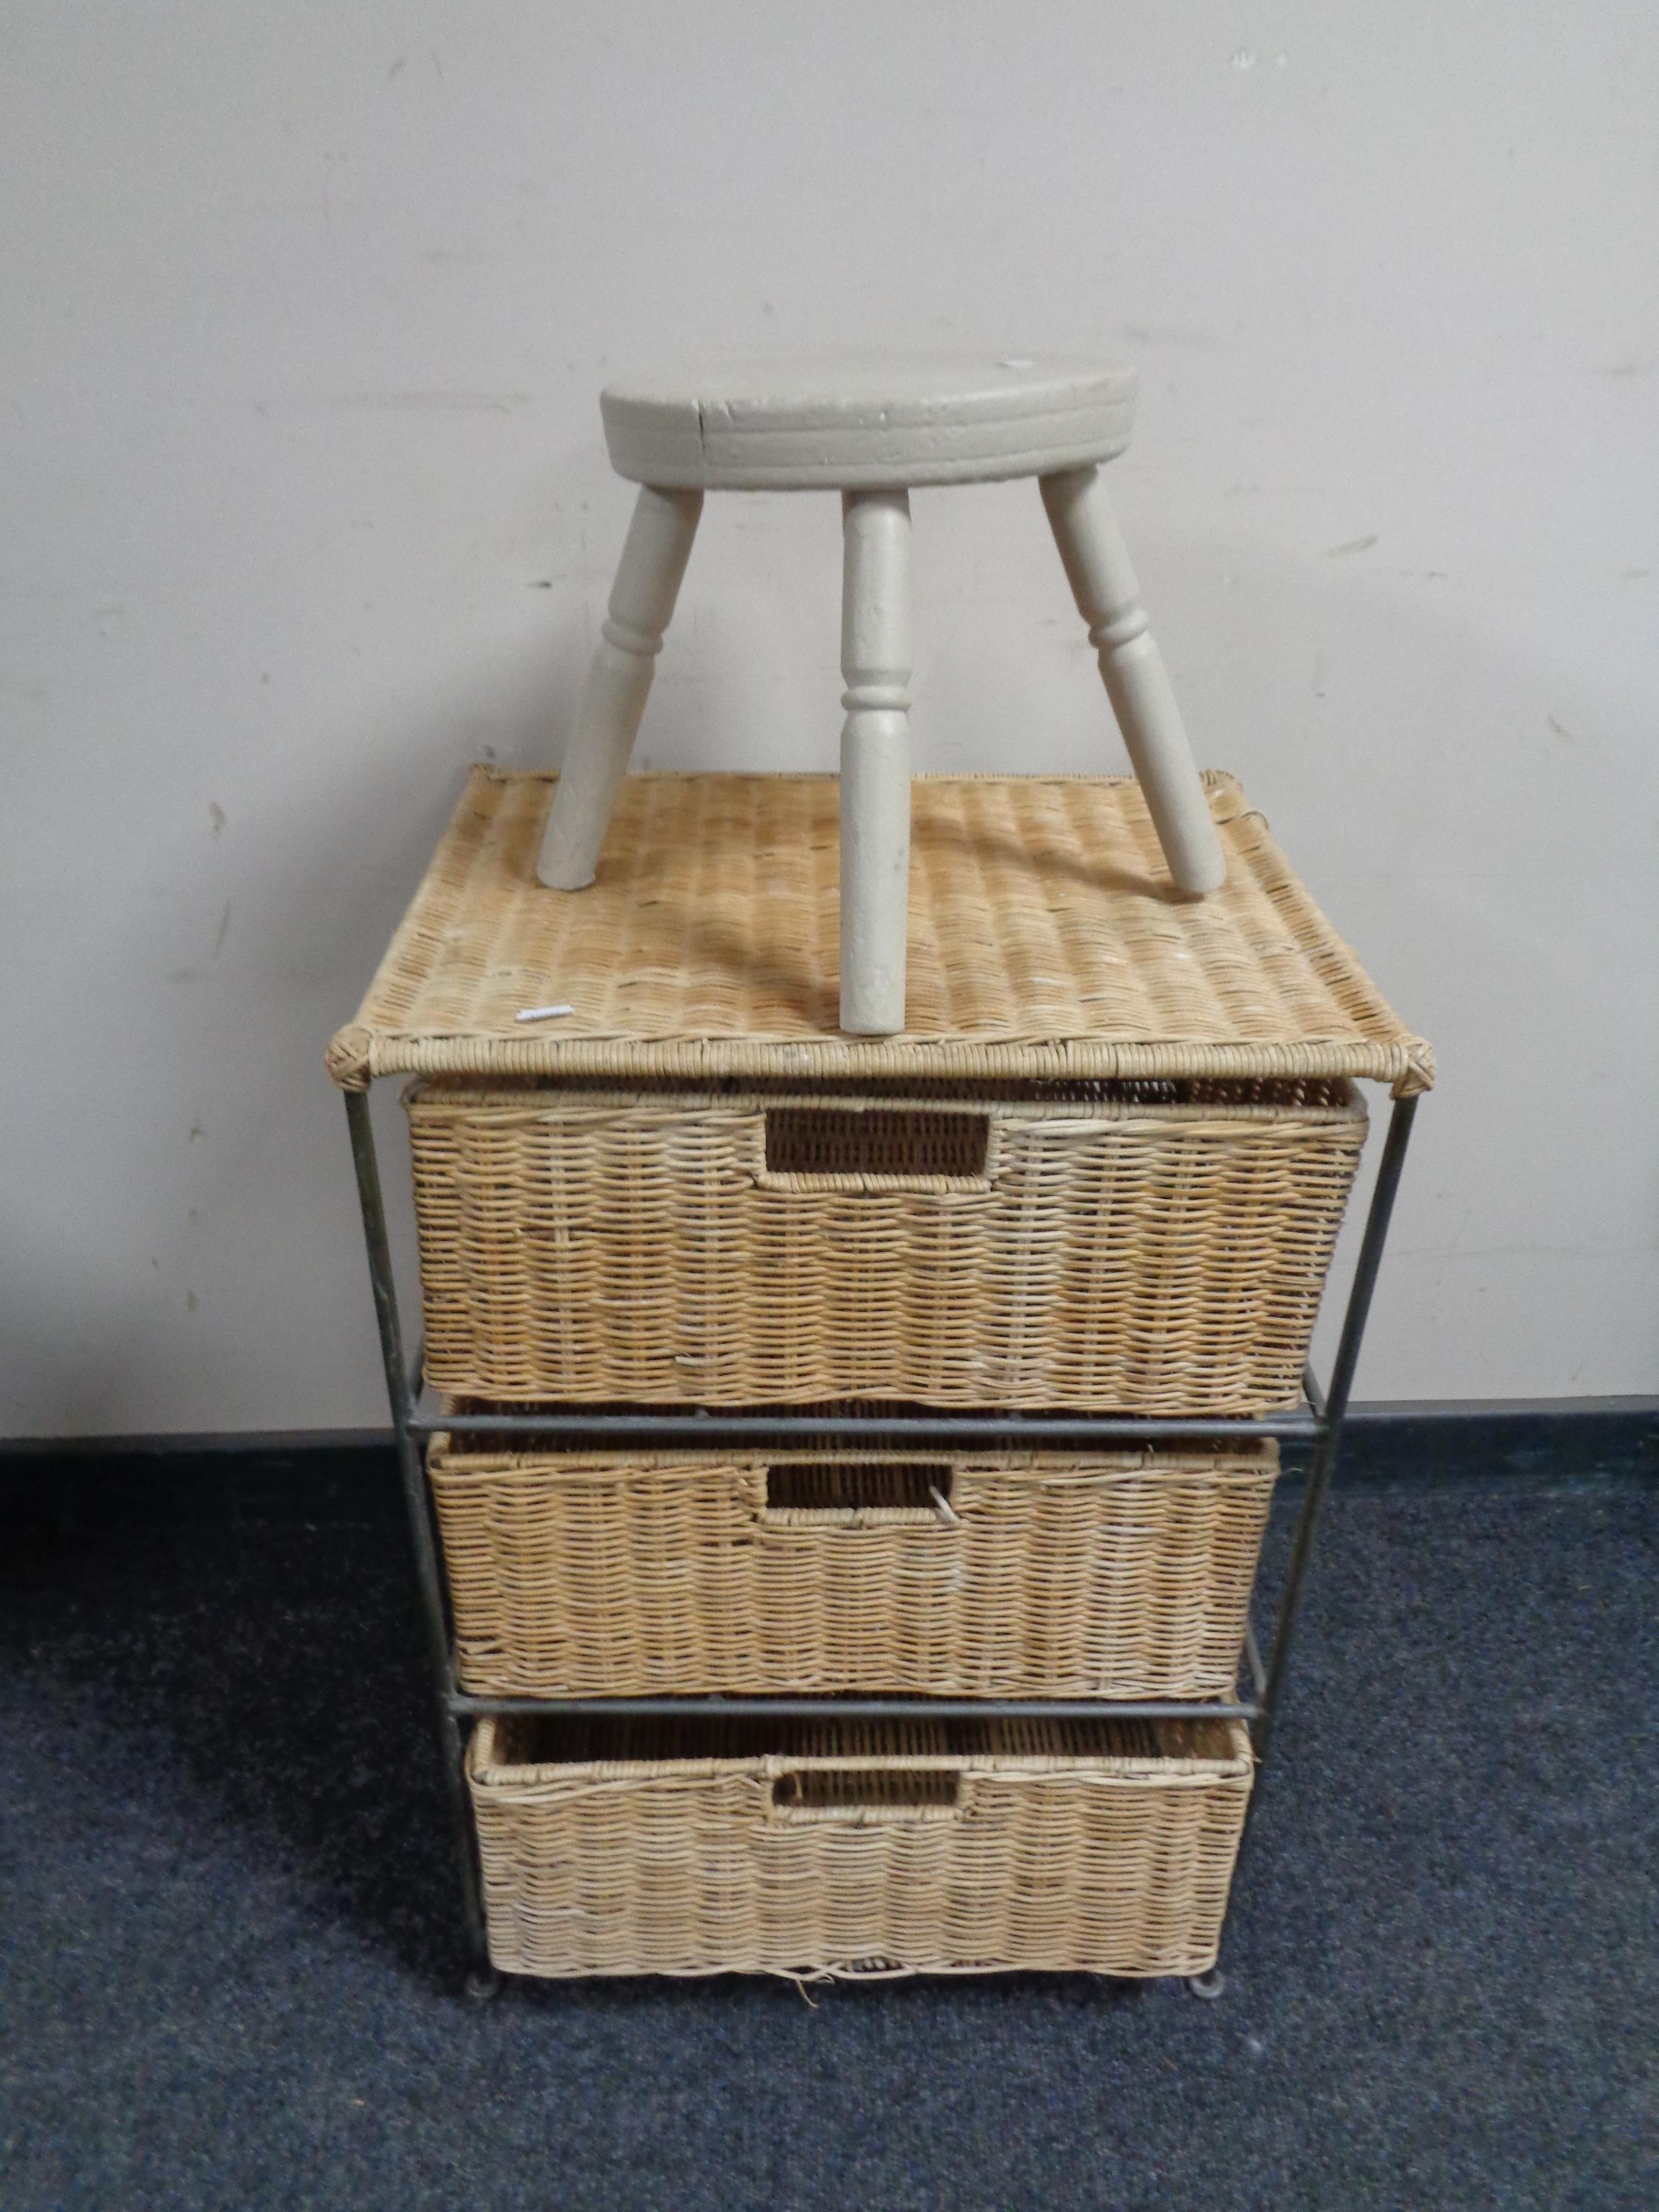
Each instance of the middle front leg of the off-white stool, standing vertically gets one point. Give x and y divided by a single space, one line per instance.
875 762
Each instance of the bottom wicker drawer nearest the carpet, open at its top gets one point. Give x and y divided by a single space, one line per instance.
857 1848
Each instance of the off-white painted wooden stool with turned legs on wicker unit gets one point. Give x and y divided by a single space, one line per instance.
870 428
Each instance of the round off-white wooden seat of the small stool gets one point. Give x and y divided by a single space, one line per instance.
859 421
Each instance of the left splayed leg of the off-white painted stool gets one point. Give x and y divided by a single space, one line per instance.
643 601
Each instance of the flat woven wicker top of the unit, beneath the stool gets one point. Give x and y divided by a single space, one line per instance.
1045 941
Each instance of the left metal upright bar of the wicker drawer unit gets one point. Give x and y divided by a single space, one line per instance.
415 1492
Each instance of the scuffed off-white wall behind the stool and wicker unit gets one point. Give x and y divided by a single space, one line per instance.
306 505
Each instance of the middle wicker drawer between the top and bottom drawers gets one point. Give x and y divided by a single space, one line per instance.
1041 1576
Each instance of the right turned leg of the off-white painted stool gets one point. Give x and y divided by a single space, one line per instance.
1109 601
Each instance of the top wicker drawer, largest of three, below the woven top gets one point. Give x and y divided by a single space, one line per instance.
1147 1249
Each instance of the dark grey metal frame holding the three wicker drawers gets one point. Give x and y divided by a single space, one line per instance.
1319 1421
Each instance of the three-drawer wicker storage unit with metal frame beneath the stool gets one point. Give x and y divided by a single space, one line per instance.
1098 1178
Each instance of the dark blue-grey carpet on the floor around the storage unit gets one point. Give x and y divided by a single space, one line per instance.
231 1972
